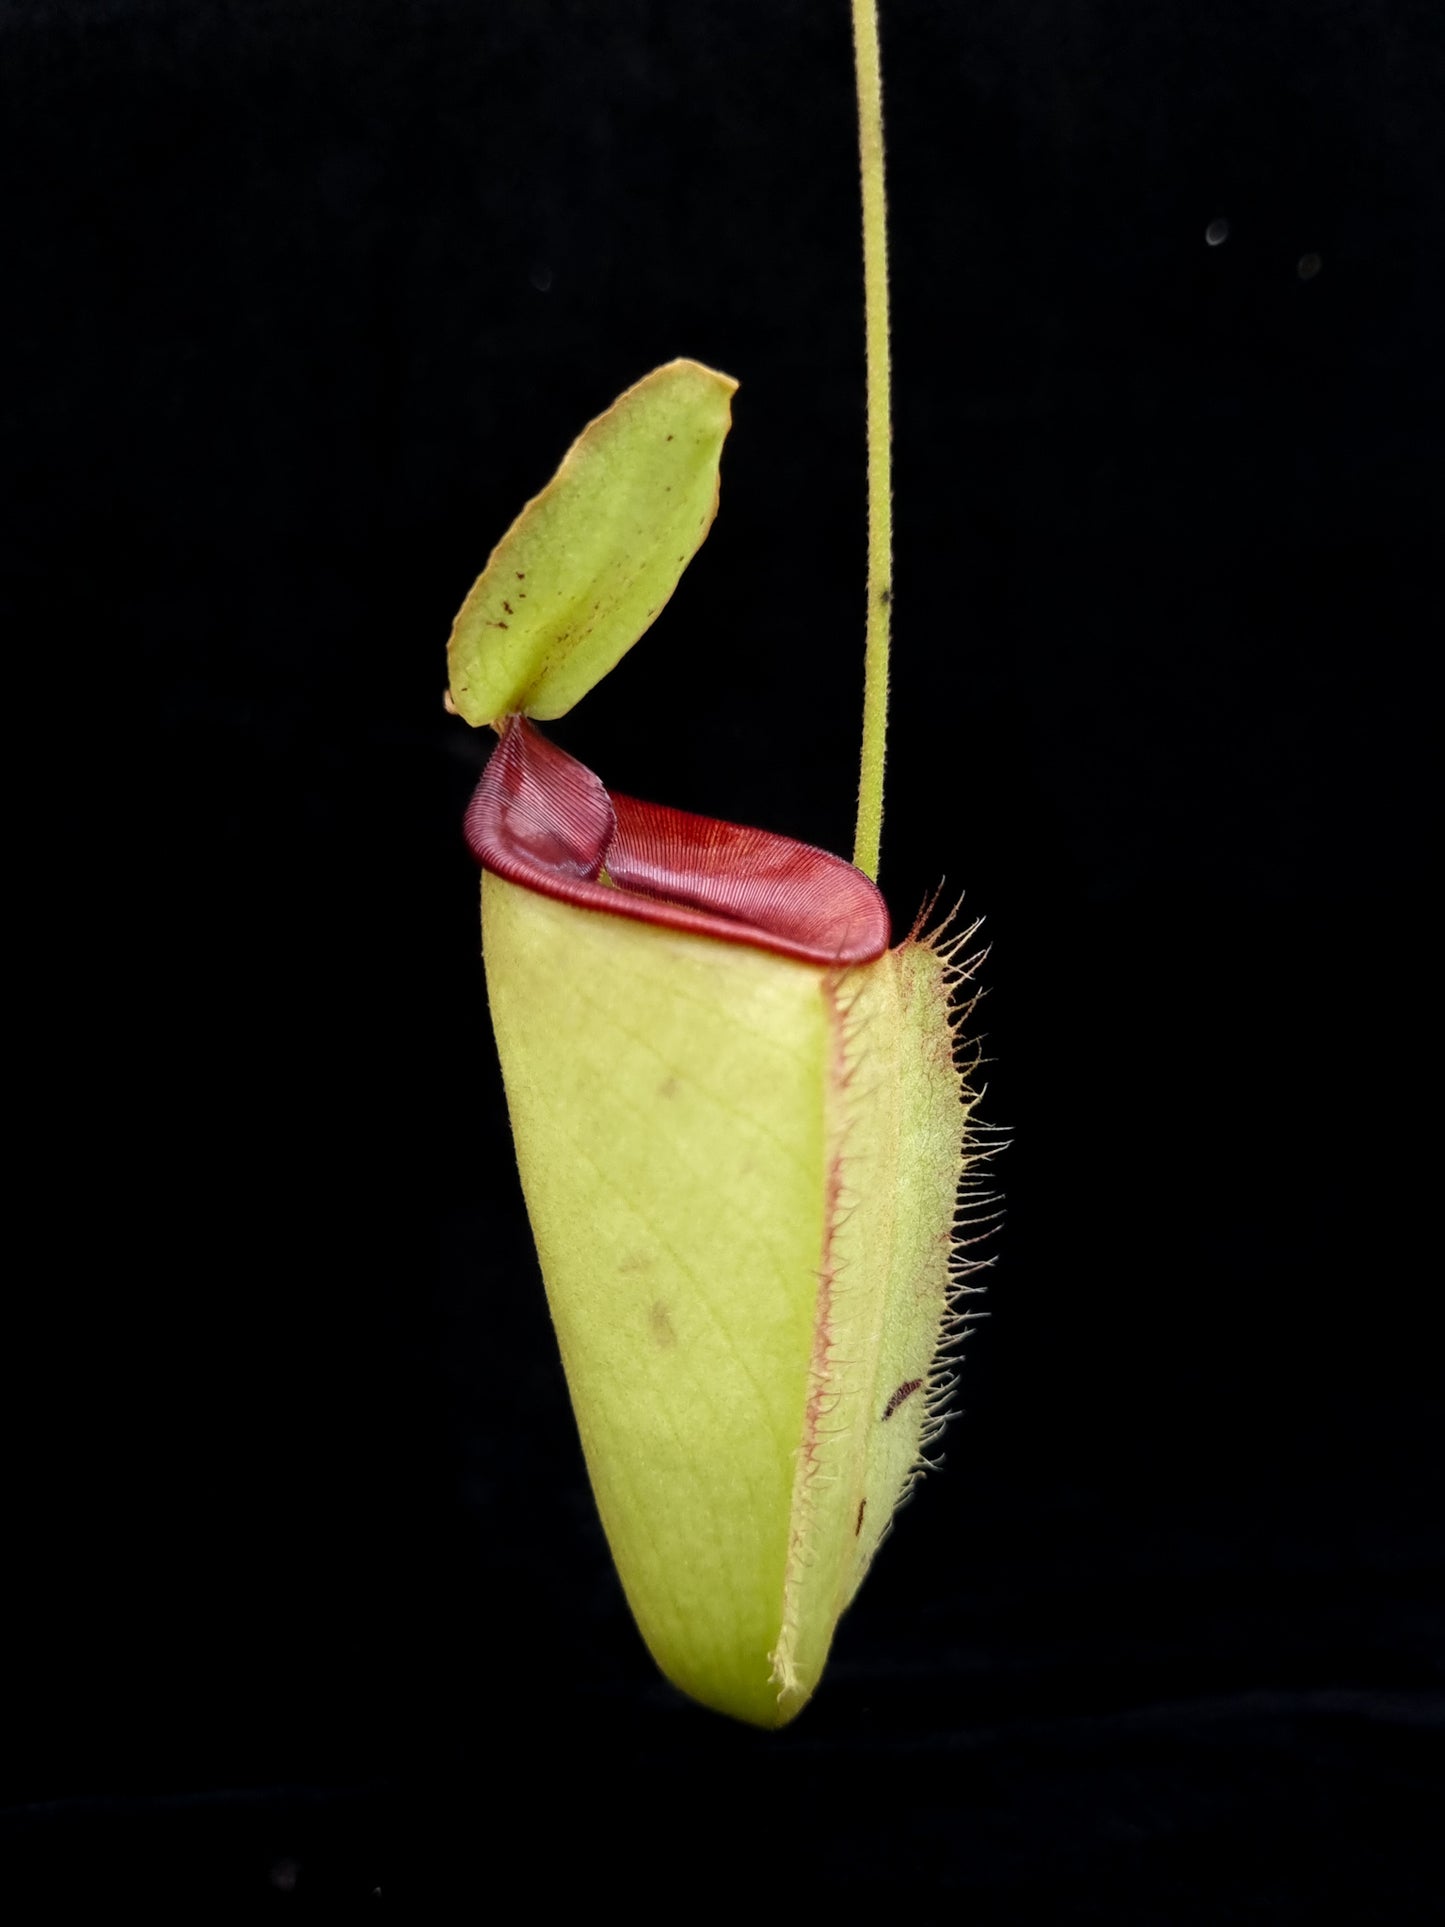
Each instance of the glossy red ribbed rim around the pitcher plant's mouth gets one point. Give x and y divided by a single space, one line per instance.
542 820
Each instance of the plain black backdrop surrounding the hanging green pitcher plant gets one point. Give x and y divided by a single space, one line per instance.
303 1585
